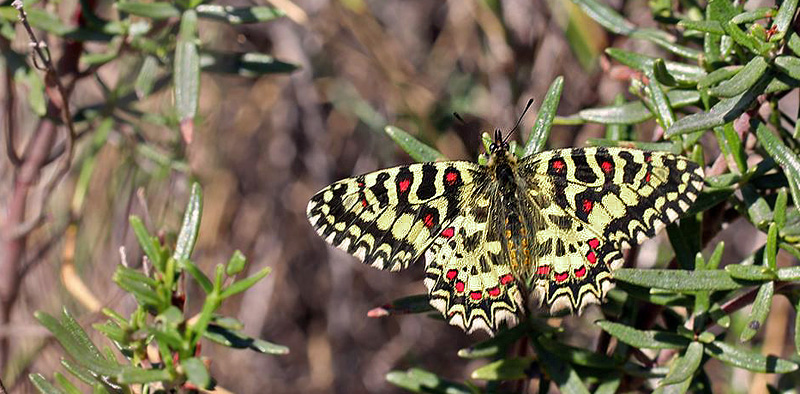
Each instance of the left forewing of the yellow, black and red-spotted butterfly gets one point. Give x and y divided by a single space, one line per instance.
388 218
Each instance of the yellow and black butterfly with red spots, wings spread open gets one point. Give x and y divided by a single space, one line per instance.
501 238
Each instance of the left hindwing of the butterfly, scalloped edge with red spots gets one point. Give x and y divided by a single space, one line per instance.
467 274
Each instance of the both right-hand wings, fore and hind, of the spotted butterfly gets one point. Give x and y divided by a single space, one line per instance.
599 201
